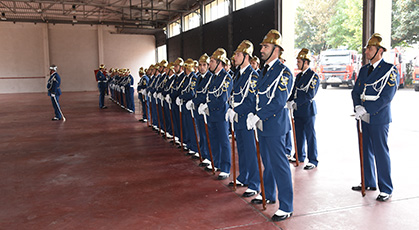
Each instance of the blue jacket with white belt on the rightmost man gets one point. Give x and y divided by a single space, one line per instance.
379 110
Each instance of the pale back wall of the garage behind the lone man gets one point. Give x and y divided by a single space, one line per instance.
28 49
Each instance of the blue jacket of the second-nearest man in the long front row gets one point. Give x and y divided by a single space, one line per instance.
244 101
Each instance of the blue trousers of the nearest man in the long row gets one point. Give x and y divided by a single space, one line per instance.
277 173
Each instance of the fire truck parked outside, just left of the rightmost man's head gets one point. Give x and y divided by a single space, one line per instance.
338 67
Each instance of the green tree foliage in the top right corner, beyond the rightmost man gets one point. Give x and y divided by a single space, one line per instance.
405 23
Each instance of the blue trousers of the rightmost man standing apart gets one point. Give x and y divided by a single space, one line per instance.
374 138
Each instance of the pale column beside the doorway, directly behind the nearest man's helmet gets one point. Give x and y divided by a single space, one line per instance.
287 14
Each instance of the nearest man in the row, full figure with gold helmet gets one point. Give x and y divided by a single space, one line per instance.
272 123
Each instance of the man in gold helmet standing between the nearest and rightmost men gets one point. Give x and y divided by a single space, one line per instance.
301 102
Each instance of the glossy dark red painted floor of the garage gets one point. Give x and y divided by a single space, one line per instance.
102 169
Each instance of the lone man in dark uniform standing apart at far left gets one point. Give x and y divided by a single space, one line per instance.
54 91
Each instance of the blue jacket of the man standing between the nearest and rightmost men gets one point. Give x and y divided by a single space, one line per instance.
303 92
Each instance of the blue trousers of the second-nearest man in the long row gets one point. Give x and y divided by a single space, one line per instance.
248 164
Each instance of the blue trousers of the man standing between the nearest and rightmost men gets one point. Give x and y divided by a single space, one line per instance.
304 130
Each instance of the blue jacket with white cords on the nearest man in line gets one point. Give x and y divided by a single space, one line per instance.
274 87
